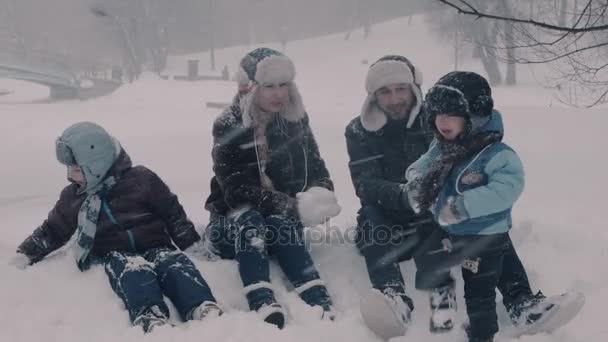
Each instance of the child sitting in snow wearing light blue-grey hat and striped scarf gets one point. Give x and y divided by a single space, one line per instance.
127 219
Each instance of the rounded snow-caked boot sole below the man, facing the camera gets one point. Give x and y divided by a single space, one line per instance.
387 314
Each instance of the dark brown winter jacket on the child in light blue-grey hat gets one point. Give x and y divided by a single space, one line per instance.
138 213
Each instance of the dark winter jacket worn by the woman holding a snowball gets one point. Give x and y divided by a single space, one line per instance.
294 165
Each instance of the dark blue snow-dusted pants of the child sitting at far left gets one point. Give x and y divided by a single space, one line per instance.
141 280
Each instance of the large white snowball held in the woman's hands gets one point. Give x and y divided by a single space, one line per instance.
317 205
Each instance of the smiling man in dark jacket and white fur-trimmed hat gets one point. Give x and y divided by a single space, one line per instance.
382 142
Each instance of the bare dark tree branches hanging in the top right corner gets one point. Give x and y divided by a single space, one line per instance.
576 52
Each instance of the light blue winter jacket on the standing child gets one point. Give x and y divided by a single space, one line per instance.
487 185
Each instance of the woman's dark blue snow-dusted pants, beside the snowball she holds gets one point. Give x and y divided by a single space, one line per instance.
251 238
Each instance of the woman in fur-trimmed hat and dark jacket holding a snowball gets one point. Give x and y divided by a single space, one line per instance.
270 182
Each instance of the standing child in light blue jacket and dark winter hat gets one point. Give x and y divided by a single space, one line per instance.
470 180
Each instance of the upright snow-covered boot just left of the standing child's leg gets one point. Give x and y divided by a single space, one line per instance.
443 309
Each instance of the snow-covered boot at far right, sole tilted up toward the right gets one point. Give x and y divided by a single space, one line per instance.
538 313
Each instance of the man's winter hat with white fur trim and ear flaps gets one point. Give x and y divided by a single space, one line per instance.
390 69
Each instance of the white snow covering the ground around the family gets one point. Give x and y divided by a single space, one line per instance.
559 222
